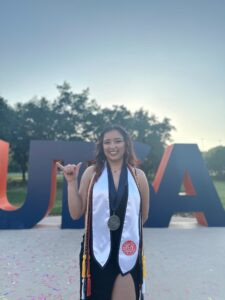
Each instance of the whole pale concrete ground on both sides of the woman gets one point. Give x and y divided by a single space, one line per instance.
184 262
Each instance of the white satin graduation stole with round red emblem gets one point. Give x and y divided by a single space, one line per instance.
130 237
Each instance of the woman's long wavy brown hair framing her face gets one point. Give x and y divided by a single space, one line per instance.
129 155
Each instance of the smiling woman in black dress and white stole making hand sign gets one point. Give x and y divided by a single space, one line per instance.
114 196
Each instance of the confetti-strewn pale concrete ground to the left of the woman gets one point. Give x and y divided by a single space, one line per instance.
39 264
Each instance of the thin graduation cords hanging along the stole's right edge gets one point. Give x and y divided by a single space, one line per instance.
143 260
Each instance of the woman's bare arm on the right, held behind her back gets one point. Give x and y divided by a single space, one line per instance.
144 190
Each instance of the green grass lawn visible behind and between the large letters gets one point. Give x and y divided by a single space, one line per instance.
16 192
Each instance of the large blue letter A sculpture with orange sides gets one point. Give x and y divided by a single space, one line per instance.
182 164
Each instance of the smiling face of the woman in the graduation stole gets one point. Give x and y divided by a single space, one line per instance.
113 145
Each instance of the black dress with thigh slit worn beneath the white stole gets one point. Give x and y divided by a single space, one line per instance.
102 279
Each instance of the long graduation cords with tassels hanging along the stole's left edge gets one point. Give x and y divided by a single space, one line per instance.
85 268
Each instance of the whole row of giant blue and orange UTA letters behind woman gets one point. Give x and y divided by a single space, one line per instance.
182 164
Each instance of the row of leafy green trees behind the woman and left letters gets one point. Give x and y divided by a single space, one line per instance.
74 116
